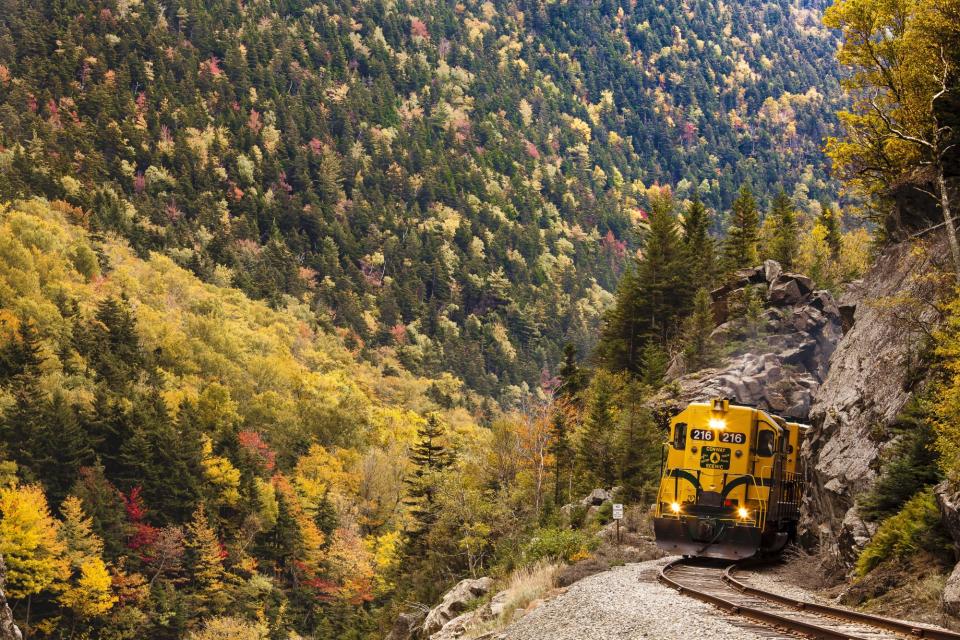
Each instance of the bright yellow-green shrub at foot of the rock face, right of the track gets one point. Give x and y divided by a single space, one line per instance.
916 527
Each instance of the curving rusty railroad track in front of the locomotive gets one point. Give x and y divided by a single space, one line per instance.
714 583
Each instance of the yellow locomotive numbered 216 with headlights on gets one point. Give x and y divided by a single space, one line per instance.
731 484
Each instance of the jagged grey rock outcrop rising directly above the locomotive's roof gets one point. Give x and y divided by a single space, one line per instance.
784 366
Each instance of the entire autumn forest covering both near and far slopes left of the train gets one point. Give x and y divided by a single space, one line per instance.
309 309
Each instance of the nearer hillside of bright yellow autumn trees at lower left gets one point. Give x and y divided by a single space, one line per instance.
201 432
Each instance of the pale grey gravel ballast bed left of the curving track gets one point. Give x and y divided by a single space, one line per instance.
625 603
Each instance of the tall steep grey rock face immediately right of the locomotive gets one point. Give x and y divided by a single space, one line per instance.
869 381
